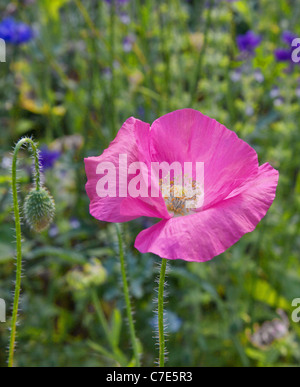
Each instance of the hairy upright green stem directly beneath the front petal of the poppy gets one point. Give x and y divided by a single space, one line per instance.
162 348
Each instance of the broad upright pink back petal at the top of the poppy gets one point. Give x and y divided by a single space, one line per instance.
189 136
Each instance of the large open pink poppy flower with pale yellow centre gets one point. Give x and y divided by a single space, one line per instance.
237 191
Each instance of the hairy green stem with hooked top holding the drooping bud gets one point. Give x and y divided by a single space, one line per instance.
19 237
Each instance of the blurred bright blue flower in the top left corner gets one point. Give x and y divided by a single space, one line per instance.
15 32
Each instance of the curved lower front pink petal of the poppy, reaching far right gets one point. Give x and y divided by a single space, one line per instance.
204 235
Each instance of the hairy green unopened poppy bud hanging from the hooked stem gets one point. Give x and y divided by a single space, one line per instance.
39 209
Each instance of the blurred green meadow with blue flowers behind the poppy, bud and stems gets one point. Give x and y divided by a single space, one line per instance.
75 71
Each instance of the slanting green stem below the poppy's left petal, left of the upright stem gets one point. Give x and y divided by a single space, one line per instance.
127 300
